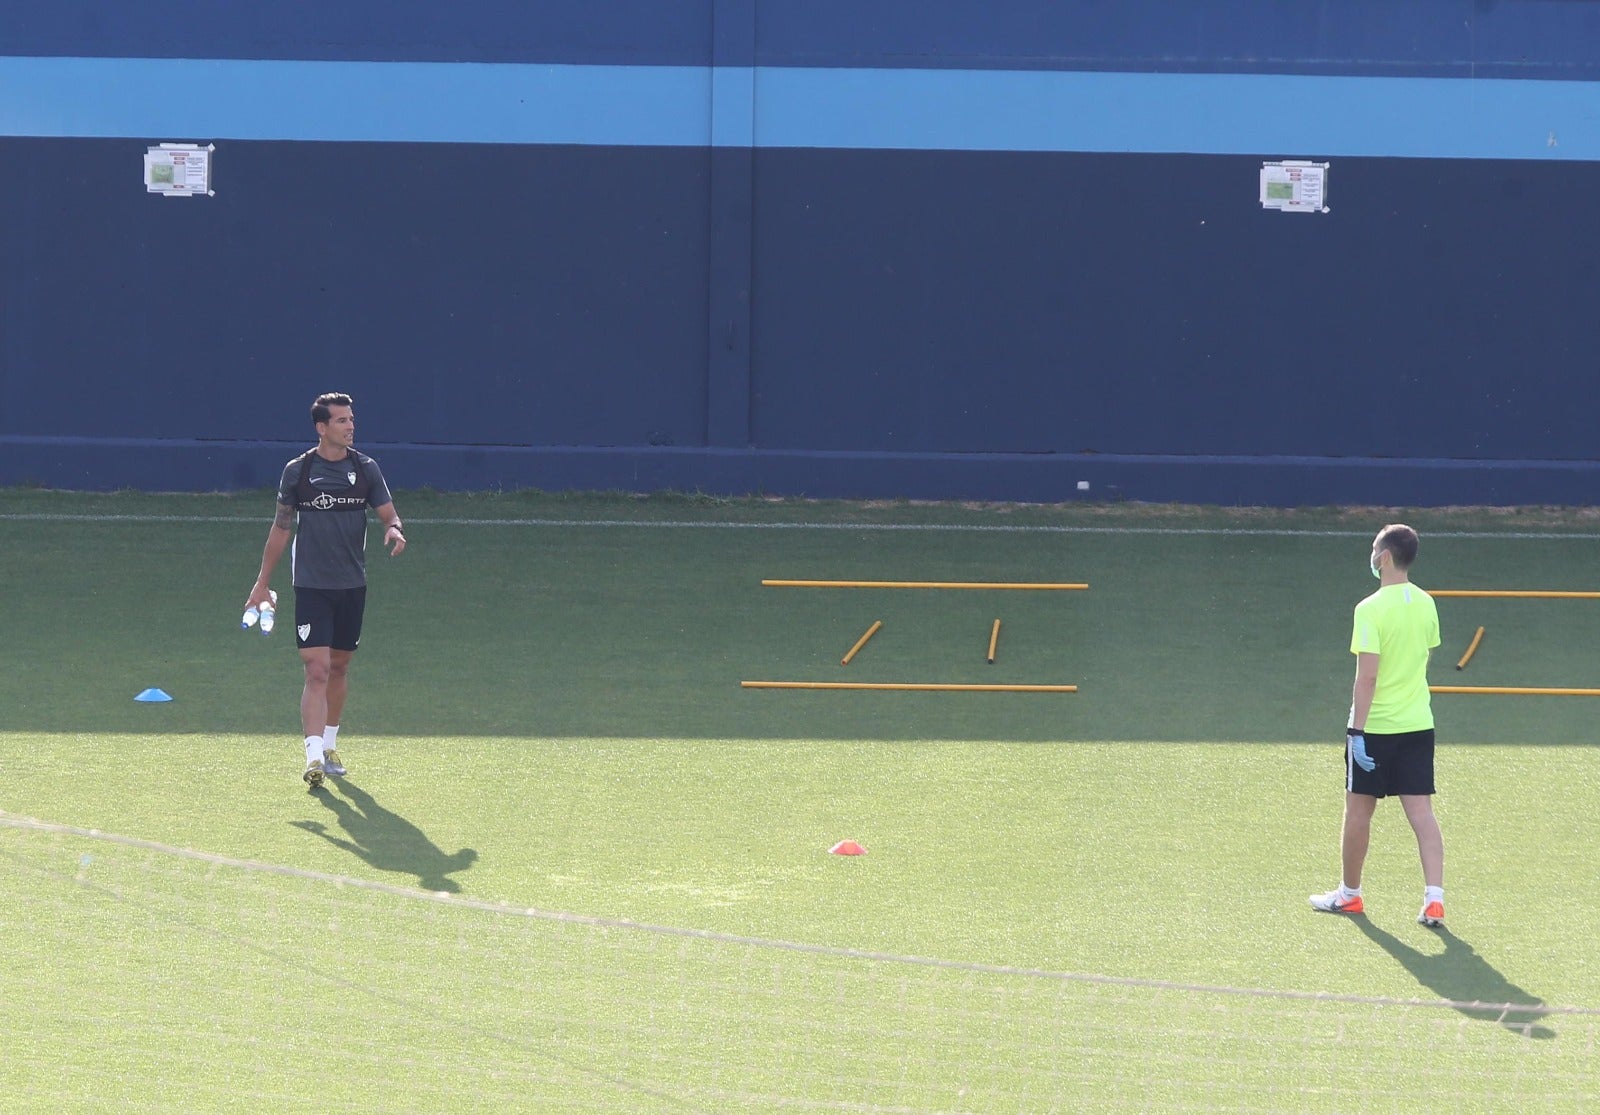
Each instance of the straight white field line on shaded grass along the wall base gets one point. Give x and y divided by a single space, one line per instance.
972 529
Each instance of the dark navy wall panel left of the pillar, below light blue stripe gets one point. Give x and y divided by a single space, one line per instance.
562 302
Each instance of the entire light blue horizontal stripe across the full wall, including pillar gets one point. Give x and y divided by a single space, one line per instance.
1271 116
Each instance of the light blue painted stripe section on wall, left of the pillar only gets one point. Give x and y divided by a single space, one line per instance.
470 103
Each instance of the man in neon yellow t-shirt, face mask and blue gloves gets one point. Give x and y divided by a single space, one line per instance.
1390 743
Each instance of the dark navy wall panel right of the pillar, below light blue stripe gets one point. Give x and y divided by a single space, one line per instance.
1084 305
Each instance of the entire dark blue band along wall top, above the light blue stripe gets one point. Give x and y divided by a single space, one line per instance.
1551 39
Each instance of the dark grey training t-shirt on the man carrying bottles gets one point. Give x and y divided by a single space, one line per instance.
330 532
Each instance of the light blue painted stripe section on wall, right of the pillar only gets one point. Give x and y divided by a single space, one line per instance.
1220 114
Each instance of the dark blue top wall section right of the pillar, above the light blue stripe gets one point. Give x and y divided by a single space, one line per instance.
1423 38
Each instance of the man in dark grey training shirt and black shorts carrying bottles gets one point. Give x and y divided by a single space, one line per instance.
324 497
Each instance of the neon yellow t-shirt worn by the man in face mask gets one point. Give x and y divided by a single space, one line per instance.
1401 625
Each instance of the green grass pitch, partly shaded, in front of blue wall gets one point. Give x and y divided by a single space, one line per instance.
546 716
